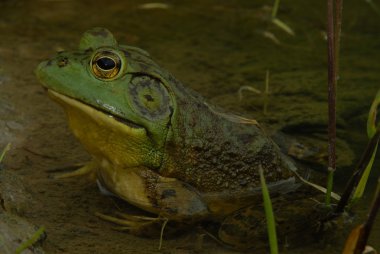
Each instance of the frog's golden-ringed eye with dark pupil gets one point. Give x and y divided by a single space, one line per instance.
105 65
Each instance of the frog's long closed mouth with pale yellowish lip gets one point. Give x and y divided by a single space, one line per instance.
98 114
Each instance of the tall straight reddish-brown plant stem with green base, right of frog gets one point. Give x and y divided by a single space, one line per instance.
331 99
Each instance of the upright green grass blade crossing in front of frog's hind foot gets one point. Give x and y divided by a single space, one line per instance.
271 225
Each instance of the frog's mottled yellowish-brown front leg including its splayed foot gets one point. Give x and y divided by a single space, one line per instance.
169 198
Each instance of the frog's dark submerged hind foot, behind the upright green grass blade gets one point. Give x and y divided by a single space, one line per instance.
296 221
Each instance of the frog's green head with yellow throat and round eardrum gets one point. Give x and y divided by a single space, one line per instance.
117 102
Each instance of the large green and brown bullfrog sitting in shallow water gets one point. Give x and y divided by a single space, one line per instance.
159 146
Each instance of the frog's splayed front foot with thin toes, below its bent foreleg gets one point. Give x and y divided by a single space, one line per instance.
137 224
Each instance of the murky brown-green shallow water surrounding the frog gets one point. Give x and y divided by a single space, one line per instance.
214 47
